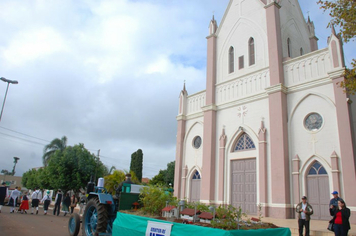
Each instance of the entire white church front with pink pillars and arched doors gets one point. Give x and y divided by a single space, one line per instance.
273 124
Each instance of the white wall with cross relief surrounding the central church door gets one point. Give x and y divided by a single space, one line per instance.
248 116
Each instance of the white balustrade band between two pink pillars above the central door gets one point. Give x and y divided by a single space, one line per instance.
242 87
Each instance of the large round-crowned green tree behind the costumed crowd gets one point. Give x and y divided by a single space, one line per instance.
72 168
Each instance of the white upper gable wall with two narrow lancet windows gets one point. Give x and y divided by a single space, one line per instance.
247 17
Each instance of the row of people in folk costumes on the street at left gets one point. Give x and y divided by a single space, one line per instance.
63 202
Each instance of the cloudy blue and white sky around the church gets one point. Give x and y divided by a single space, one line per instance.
106 74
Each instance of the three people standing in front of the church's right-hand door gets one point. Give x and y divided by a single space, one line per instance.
340 214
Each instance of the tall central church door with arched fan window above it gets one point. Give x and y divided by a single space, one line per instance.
243 177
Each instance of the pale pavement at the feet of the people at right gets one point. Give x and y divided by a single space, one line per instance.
317 227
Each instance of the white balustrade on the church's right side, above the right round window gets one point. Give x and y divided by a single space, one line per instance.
309 67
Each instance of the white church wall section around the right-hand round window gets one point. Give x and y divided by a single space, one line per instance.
312 144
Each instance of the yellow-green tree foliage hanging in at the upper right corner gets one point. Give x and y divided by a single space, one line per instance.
343 13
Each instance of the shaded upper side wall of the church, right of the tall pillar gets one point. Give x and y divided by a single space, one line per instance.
293 26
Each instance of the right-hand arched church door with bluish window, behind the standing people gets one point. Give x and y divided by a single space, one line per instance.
318 191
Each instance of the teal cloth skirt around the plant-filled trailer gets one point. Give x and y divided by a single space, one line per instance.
126 224
